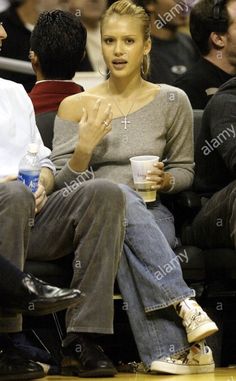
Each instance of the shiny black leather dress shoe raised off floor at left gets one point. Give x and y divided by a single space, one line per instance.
40 298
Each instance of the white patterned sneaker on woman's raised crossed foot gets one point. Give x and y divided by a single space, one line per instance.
197 323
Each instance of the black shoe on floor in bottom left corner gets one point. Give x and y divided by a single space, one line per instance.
13 366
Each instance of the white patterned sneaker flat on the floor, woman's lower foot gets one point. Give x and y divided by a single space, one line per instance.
197 359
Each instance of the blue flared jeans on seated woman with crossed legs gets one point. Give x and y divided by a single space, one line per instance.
150 279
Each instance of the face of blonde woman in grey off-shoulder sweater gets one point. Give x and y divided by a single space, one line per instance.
123 45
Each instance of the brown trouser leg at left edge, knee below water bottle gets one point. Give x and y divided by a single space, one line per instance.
16 218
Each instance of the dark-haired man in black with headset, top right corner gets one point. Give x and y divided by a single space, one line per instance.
216 41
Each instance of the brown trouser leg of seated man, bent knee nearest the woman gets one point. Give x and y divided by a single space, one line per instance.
89 221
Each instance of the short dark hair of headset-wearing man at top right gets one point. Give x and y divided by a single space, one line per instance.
202 22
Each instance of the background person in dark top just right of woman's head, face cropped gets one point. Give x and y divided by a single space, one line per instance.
172 53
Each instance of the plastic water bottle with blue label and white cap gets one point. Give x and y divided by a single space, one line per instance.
29 168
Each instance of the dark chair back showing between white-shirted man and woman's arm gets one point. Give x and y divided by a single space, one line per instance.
45 123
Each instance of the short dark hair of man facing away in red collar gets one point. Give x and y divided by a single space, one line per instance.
58 40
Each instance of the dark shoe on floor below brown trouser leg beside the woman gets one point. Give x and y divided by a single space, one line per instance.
83 358
